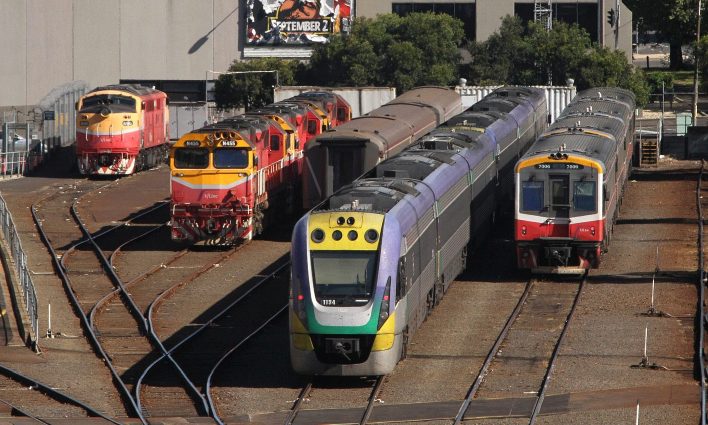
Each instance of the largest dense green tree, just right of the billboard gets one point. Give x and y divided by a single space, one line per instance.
418 49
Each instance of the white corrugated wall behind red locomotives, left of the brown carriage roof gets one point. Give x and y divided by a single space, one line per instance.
361 99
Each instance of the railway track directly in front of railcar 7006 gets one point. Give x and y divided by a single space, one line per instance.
519 360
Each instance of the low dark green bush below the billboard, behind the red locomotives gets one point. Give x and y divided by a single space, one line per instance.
252 89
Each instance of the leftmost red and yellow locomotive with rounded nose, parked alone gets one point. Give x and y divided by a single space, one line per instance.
121 129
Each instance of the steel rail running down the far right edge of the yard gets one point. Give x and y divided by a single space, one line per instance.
701 297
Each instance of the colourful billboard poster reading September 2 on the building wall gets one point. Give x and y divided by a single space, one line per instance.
295 22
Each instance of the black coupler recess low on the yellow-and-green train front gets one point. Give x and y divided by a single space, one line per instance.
342 349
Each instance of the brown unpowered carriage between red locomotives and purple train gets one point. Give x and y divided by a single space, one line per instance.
339 156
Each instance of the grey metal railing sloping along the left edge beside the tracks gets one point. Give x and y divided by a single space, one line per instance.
20 259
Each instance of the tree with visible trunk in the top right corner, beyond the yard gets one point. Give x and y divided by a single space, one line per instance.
674 19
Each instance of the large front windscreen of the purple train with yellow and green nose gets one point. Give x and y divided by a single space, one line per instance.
343 278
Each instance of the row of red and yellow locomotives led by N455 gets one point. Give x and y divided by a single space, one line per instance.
225 176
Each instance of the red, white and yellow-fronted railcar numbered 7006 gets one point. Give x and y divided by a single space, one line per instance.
569 185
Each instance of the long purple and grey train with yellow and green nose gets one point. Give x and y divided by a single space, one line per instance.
371 261
